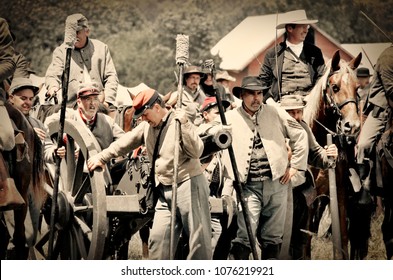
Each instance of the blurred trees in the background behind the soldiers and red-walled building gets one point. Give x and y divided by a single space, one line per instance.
141 34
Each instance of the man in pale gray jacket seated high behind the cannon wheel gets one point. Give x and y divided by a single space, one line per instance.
91 61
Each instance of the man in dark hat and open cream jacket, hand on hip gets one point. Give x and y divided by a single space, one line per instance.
259 143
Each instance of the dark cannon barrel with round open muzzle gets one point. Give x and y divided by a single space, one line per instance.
215 142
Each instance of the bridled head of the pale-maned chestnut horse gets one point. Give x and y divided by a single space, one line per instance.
341 93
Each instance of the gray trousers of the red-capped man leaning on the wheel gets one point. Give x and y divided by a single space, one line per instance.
192 217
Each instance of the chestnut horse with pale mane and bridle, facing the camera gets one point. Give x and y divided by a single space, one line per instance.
332 108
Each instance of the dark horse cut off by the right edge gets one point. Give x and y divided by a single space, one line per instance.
385 163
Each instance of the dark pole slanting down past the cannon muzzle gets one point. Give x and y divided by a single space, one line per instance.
237 184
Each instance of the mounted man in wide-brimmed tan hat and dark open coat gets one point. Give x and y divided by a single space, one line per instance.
293 66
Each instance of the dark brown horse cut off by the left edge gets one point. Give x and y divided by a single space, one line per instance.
24 164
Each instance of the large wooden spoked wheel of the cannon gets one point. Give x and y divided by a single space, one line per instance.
81 218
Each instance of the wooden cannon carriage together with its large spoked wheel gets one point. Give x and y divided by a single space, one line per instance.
95 217
